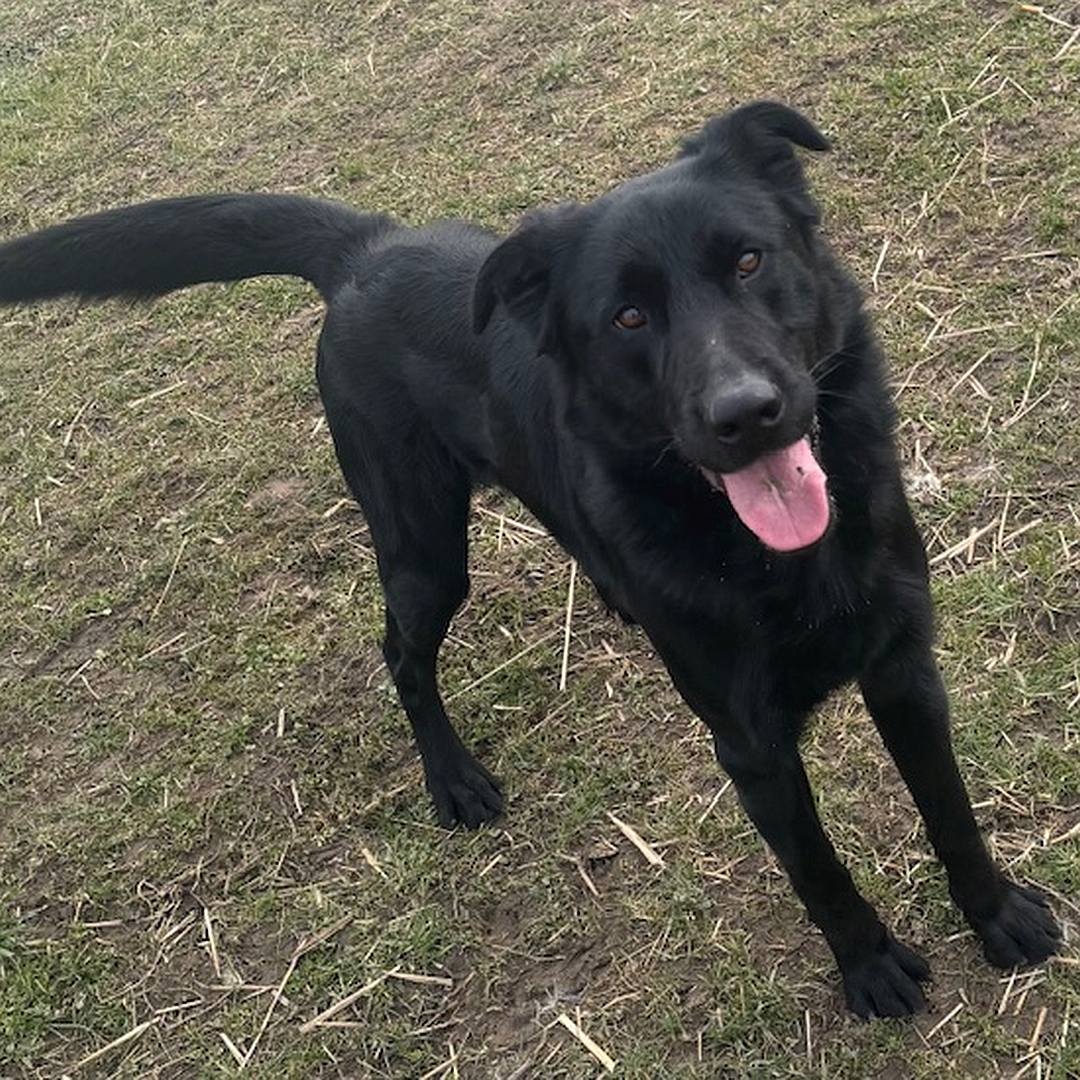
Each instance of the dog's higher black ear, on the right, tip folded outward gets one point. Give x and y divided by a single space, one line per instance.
760 136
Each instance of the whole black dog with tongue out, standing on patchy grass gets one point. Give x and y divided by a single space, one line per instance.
681 382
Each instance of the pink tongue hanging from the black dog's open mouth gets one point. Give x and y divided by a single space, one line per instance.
781 498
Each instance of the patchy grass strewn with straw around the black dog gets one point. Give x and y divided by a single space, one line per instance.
212 823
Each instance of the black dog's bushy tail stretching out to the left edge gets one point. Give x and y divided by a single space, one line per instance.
155 248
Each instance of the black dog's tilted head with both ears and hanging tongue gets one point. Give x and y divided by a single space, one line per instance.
690 306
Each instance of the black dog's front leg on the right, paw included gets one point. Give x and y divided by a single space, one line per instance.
904 694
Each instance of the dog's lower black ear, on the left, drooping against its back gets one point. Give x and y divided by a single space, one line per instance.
519 273
